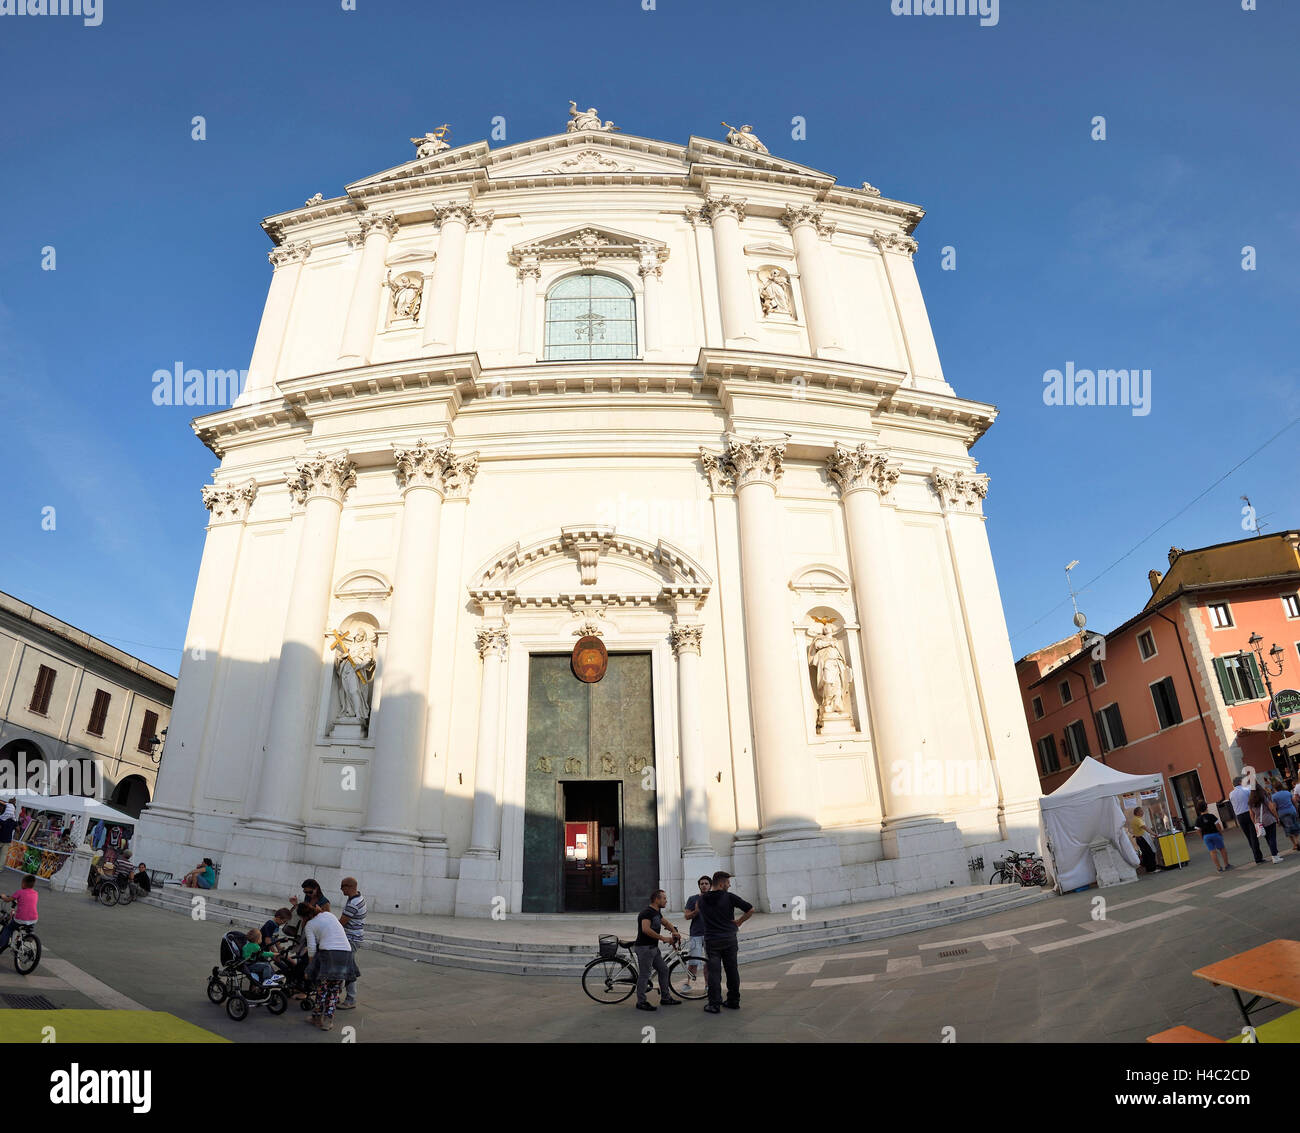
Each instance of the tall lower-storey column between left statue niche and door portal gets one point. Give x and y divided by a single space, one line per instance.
397 766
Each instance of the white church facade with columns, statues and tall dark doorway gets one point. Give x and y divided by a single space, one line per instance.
596 515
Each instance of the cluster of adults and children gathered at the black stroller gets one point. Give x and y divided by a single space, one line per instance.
314 947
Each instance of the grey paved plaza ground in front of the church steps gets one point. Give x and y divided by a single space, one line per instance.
1047 973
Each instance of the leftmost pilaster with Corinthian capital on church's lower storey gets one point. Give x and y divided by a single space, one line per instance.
179 774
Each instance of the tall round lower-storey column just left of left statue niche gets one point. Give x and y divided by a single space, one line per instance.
319 483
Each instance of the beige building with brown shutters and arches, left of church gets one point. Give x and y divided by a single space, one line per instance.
77 711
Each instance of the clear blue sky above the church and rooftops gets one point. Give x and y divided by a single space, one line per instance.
1116 254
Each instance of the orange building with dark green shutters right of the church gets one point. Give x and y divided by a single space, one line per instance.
1180 689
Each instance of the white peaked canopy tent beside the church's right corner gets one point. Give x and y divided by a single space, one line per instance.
1085 809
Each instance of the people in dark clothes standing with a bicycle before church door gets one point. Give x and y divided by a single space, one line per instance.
714 940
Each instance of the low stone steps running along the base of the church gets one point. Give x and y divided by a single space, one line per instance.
525 958
